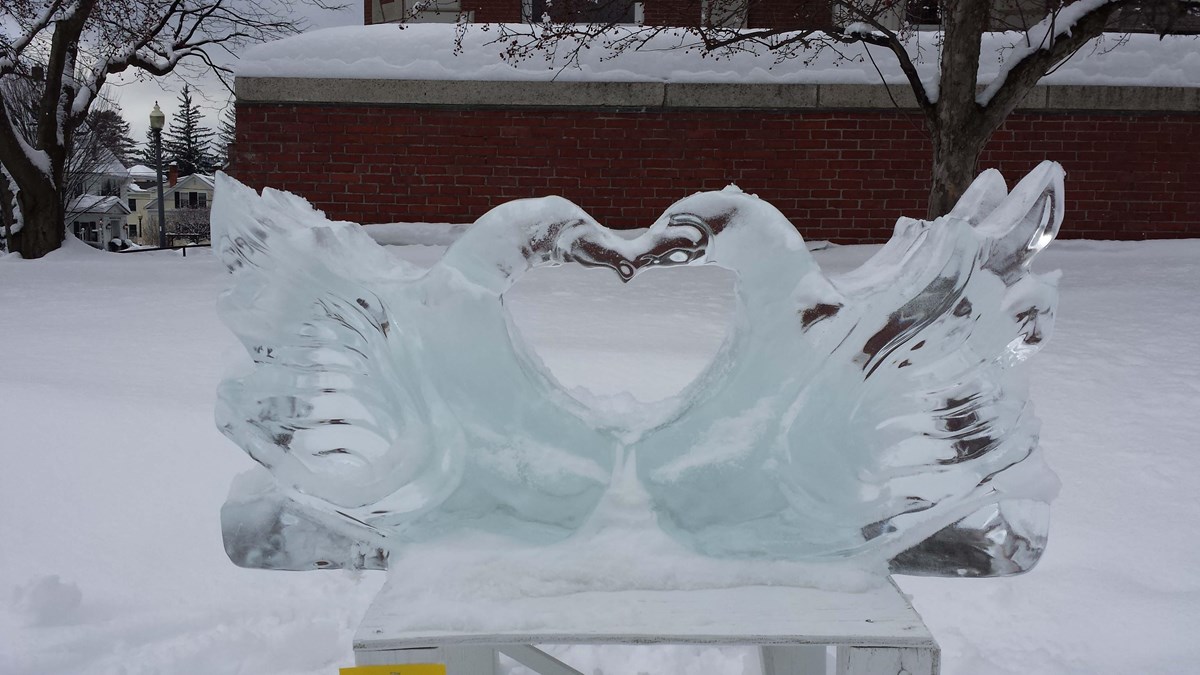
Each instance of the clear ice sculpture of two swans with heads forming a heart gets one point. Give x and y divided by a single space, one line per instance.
880 417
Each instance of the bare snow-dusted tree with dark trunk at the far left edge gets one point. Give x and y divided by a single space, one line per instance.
73 49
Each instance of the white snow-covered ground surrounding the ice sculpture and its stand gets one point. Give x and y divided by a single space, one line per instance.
111 558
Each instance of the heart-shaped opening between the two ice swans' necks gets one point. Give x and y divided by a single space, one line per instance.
643 342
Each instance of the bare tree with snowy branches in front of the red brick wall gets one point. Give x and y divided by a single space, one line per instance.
959 115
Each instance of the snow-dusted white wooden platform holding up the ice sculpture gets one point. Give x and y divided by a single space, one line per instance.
874 632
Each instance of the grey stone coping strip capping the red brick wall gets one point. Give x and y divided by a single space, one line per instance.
658 95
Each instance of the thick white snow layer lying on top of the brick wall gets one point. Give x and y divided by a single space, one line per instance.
428 52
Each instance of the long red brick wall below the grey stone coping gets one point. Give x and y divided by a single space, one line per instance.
841 176
